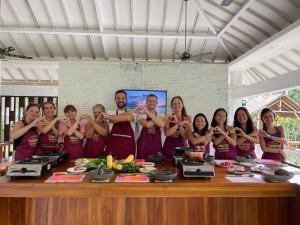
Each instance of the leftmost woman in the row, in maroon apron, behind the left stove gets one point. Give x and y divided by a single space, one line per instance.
25 133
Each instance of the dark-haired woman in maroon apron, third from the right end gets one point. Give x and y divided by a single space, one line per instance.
224 139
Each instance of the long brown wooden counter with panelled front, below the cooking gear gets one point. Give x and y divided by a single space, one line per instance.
185 201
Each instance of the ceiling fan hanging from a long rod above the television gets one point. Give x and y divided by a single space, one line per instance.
186 56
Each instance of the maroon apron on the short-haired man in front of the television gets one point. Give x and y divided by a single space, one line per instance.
149 142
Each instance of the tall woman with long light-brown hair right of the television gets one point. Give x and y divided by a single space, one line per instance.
176 127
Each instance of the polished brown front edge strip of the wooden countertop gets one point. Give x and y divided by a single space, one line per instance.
86 190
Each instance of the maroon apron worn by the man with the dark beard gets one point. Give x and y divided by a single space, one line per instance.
121 140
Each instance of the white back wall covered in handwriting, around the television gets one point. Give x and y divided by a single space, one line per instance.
203 87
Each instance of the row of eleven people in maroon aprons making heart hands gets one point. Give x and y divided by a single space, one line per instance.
115 132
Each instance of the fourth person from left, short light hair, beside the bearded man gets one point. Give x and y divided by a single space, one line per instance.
96 133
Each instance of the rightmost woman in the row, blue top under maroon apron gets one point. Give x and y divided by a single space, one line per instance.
271 137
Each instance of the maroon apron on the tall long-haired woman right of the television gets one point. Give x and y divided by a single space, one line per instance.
173 141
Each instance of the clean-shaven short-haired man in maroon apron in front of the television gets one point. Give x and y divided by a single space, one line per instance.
149 141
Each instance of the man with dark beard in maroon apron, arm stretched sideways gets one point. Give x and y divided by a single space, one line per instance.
121 139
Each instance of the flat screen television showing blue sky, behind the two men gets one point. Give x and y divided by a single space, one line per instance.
138 97
